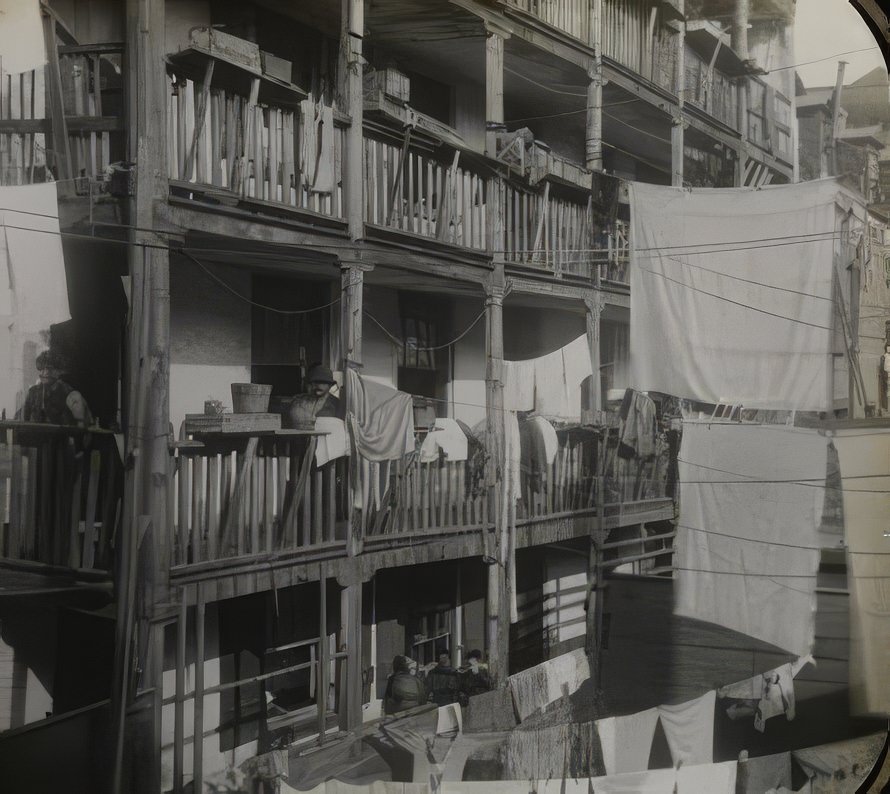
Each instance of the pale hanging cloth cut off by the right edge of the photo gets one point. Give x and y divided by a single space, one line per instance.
864 457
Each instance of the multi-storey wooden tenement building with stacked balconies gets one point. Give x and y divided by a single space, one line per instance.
417 191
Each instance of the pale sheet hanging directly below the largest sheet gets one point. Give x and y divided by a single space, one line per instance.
747 538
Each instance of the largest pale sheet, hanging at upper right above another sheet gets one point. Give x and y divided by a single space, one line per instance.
716 319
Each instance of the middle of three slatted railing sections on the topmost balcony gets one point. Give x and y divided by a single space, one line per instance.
634 36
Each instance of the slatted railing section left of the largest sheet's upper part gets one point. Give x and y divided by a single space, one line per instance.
550 232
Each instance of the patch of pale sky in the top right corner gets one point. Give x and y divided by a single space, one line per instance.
825 28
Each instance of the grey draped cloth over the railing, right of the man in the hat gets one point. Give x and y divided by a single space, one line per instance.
383 424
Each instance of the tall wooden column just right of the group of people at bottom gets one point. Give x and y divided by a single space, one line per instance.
497 633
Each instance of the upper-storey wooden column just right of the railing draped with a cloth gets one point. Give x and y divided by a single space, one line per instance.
352 32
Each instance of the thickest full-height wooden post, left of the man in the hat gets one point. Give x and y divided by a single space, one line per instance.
147 420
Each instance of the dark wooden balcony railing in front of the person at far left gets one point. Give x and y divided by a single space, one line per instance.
59 495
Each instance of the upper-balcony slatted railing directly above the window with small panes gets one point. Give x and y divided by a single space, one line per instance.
412 192
